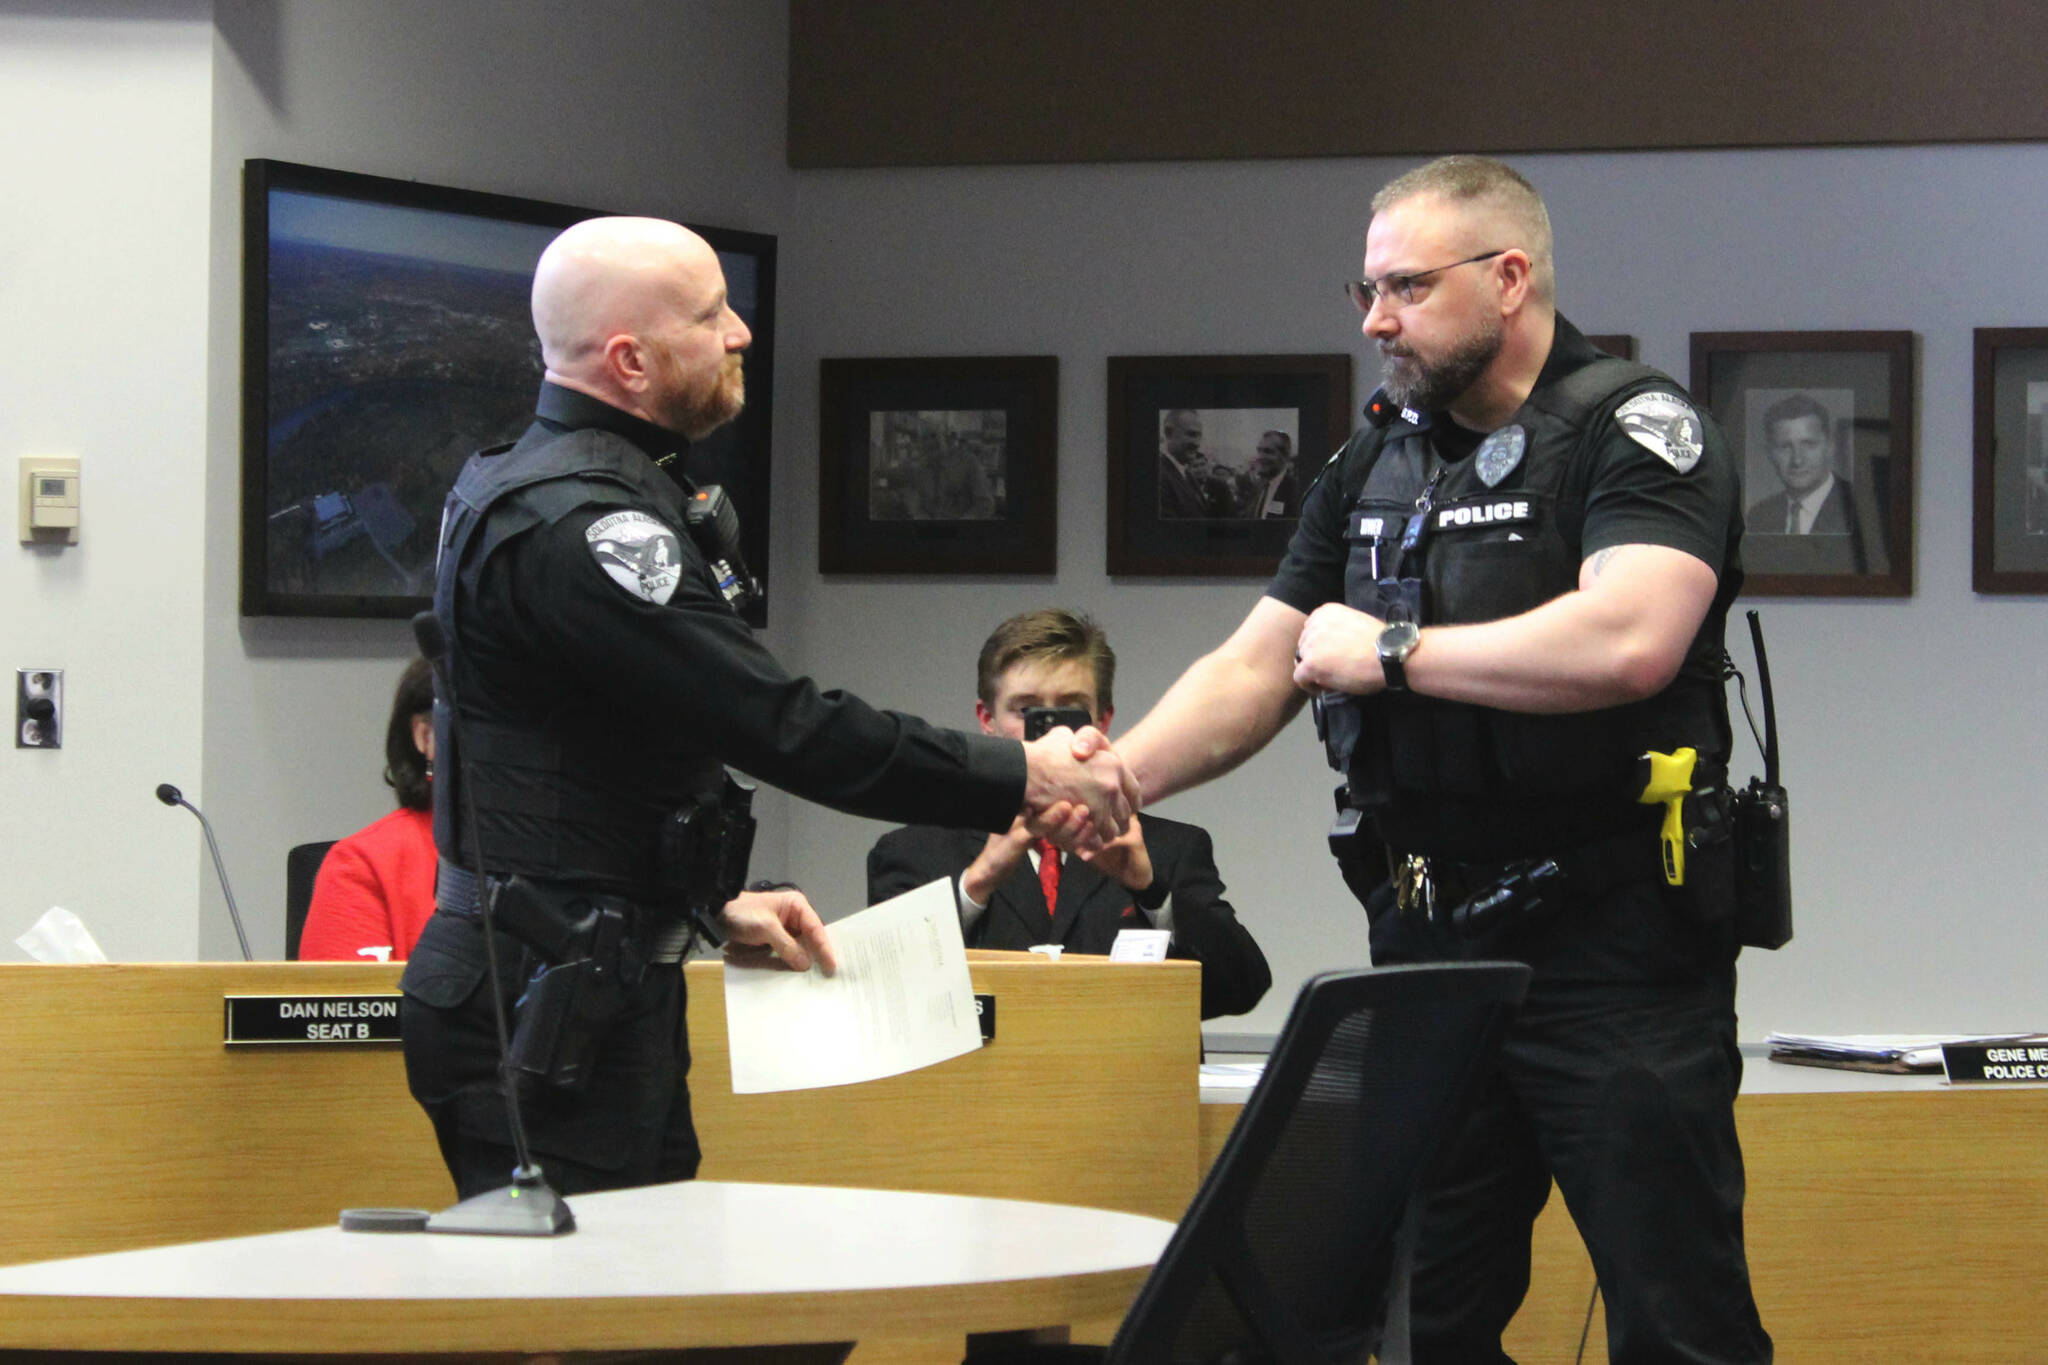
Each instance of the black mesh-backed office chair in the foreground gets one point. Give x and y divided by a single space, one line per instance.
1297 1247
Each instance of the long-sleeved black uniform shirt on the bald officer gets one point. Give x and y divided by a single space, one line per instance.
665 678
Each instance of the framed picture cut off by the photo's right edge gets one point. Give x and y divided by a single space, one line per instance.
2010 490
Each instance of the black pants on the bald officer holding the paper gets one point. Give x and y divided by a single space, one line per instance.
628 1127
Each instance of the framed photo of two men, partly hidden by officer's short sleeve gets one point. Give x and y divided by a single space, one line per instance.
1211 455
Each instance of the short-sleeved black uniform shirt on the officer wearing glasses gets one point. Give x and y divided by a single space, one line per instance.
1633 494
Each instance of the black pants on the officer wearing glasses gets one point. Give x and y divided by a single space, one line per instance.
1619 1080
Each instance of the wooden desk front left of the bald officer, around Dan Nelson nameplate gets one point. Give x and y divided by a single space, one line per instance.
128 1125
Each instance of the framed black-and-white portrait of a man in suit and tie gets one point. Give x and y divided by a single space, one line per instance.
1822 431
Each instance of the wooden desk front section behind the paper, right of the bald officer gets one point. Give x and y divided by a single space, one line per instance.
1089 1096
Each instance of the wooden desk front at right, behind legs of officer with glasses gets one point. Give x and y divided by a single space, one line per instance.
1881 1227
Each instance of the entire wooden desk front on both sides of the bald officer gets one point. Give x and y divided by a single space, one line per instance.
128 1125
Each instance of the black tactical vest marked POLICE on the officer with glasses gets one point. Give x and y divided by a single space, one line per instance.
1465 781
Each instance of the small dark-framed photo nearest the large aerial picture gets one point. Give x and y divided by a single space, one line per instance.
939 466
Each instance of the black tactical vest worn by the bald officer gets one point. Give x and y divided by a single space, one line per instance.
550 803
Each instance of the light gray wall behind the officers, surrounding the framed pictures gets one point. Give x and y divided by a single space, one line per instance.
1910 725
